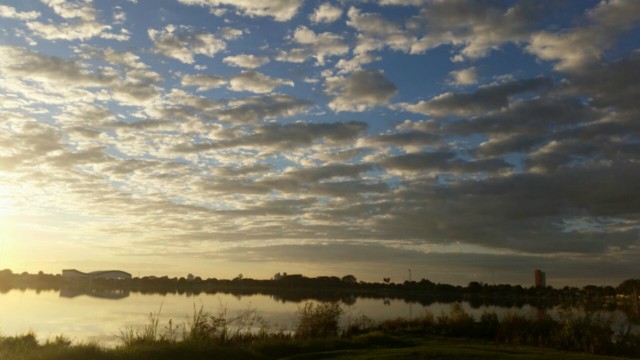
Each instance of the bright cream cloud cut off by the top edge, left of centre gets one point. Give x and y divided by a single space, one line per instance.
279 10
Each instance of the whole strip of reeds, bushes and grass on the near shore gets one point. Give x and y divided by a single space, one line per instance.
317 334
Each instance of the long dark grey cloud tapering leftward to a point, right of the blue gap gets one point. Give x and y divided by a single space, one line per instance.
487 98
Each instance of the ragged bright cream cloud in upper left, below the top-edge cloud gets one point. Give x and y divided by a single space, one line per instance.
182 44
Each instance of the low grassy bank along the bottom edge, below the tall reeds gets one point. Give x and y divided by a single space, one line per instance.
368 346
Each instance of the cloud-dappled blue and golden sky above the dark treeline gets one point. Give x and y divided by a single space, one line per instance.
456 141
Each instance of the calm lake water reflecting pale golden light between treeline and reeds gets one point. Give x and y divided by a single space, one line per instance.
88 318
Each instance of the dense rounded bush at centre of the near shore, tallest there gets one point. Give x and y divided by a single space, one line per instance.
319 320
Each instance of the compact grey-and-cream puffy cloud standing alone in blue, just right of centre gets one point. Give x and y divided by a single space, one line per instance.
360 91
